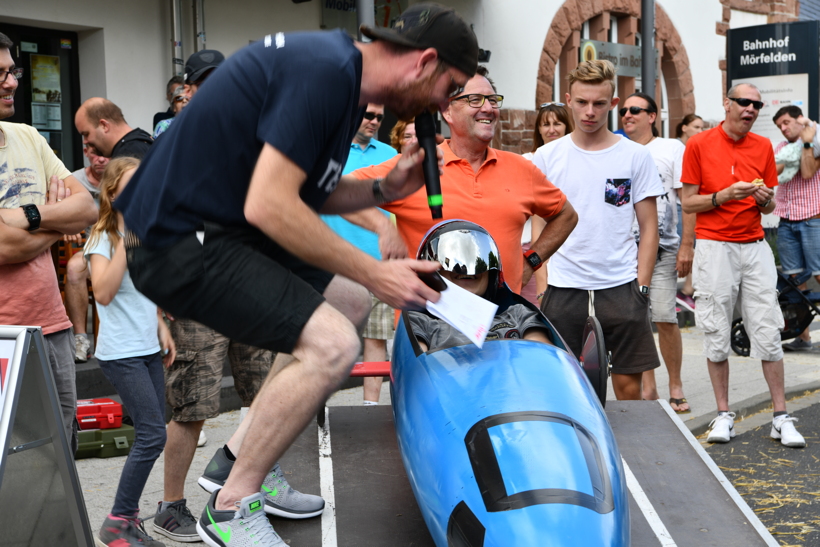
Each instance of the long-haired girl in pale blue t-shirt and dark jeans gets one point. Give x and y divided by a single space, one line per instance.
132 333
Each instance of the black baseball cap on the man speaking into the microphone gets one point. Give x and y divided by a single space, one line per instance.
433 25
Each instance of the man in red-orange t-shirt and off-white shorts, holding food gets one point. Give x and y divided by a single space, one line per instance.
728 176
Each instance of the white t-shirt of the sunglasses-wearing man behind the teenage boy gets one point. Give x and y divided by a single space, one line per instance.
668 156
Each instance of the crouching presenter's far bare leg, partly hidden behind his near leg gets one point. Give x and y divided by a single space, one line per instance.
347 296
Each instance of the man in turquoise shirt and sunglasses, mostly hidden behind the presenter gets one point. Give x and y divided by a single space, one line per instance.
380 241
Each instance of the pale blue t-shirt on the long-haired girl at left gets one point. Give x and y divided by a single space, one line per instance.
128 324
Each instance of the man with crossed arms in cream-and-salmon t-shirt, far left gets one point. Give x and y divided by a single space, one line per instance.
40 201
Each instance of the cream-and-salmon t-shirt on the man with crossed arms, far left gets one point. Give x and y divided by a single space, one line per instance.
28 290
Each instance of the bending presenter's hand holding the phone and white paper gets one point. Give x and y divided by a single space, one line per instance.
397 284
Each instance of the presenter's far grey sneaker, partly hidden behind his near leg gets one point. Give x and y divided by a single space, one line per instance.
280 498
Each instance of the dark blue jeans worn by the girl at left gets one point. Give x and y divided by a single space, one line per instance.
141 384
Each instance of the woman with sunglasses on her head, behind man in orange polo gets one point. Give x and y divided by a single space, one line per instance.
553 122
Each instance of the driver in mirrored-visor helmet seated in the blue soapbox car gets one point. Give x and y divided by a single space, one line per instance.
469 258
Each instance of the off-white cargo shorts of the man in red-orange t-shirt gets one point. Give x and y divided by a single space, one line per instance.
724 271
